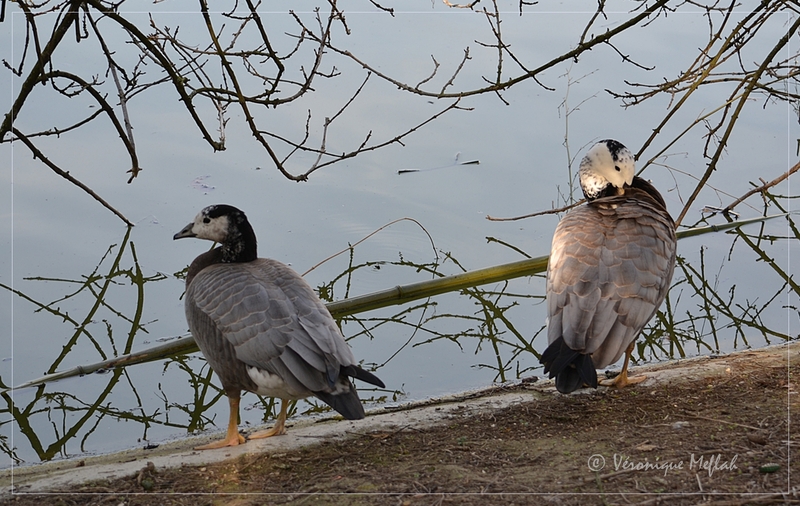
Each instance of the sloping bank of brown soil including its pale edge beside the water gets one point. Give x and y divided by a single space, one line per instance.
705 430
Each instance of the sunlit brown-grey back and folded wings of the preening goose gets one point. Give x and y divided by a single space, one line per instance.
610 265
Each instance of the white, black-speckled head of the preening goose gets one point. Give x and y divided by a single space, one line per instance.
607 163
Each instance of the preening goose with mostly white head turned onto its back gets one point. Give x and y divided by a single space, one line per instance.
610 268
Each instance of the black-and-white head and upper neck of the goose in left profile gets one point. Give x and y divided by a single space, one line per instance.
227 226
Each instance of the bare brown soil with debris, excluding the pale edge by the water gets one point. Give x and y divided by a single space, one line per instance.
722 439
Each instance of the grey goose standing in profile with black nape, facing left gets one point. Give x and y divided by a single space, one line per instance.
262 328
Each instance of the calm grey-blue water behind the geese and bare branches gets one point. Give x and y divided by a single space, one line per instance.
61 249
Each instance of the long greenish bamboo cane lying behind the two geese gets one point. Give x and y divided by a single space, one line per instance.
400 294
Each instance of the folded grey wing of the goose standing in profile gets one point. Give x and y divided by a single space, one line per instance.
273 320
